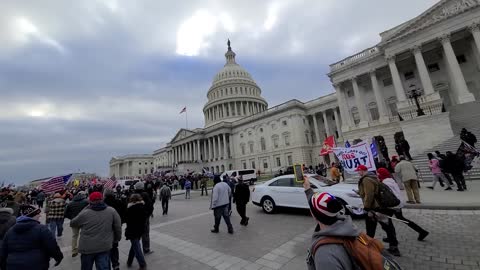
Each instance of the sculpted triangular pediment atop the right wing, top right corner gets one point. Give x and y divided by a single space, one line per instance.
441 11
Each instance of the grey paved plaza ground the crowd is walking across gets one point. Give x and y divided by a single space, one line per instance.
182 240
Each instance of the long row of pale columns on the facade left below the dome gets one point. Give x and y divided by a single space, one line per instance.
212 148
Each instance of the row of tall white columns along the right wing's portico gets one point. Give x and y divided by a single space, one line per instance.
457 79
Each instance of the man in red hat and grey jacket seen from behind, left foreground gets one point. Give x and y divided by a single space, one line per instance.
100 227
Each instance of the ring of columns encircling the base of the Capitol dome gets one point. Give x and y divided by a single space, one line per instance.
236 108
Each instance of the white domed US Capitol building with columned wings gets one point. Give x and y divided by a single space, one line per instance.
435 55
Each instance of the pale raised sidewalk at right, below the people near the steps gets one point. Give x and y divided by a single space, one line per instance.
448 200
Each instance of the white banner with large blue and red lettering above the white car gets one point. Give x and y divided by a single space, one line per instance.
354 156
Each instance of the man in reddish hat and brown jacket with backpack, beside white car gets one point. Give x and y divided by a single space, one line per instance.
367 189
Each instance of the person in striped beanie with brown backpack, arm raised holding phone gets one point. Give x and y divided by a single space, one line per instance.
336 242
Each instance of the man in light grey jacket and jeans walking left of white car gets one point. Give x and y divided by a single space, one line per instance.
220 199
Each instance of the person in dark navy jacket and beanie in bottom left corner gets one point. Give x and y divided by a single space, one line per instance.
29 245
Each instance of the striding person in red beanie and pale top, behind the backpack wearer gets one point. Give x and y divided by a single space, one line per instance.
385 177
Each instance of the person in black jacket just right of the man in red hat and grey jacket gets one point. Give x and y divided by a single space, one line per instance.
136 217
